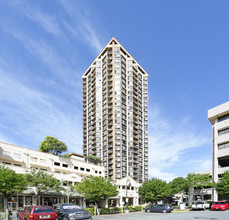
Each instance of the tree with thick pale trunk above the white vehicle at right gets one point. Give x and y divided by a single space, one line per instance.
198 181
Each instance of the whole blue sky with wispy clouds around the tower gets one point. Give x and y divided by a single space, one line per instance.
46 46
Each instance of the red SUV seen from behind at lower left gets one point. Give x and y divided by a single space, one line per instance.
37 212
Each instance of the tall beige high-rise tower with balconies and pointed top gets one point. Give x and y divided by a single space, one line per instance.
115 113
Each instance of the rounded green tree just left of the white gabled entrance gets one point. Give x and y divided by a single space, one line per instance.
96 188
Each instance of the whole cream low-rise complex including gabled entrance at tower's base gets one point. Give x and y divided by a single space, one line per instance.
69 171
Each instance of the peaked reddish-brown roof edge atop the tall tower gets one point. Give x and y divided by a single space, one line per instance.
123 49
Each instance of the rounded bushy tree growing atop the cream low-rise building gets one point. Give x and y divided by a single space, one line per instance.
52 145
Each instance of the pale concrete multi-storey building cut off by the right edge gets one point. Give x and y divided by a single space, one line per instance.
219 118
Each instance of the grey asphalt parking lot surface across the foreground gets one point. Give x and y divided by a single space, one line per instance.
191 215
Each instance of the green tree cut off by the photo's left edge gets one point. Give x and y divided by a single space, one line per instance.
11 183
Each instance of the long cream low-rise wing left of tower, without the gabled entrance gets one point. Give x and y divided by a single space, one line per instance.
69 171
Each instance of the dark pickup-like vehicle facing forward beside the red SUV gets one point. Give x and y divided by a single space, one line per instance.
71 212
